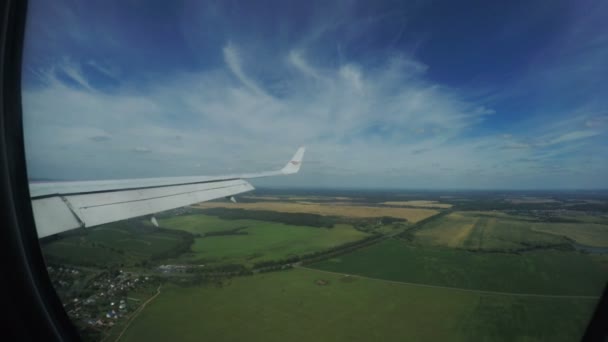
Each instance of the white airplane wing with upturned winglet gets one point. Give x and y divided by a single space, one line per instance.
61 206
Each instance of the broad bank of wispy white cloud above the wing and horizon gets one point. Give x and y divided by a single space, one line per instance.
385 127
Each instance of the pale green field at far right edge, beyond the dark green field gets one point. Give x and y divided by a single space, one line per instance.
595 235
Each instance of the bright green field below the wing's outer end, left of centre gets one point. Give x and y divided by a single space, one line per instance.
262 241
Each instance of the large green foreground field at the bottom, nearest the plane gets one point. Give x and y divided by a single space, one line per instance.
290 306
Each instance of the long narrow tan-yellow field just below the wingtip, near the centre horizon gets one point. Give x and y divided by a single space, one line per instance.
411 214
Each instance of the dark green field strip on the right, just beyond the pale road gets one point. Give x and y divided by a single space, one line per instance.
540 272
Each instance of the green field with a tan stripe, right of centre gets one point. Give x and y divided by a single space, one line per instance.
487 231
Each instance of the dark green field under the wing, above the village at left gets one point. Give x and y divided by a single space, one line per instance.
117 243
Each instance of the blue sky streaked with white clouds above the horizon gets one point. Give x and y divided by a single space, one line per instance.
384 94
